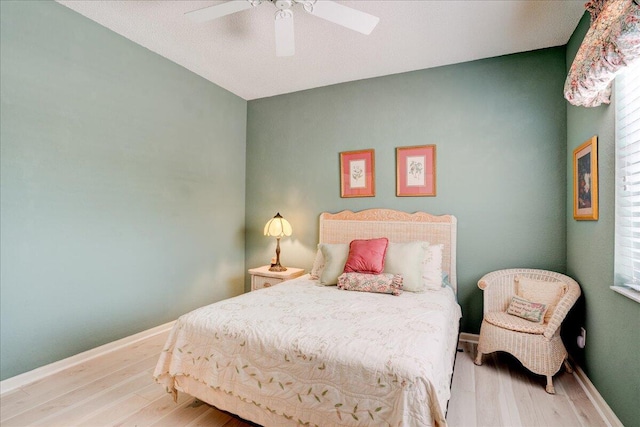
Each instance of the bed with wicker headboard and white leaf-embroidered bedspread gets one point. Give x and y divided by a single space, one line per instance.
304 354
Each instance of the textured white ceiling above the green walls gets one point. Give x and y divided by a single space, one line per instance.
237 52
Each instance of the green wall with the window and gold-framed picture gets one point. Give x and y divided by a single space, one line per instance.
612 321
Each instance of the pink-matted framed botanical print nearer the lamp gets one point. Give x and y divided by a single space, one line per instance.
357 170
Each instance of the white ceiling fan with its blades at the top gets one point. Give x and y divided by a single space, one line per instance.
325 9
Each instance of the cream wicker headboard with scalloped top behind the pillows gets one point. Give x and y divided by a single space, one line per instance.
397 226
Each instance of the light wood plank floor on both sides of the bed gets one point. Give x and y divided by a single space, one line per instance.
116 389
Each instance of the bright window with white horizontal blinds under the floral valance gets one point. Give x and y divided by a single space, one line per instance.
627 239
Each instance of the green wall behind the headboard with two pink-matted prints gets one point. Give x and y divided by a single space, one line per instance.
500 129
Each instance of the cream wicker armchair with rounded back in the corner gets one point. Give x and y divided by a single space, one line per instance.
539 349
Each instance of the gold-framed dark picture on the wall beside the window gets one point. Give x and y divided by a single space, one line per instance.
585 180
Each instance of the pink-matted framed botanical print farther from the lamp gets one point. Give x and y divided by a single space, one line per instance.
416 171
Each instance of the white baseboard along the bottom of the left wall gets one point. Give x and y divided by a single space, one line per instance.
21 380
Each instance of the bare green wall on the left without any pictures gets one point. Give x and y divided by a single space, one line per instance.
122 187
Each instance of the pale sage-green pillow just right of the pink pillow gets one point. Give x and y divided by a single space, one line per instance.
406 259
